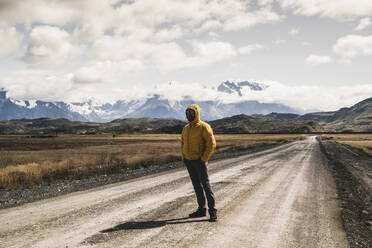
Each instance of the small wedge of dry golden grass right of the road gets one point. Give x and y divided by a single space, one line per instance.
360 141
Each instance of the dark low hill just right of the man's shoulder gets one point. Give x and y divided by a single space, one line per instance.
249 124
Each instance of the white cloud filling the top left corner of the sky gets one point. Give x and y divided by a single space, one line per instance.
92 16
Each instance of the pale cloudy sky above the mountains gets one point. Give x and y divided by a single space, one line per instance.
313 54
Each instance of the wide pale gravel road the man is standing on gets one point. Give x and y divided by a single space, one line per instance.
282 197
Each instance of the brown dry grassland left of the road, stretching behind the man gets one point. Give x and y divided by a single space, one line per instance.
26 161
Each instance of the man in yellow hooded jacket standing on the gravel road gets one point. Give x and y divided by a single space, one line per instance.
197 145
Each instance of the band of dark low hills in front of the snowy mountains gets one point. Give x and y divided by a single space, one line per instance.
357 118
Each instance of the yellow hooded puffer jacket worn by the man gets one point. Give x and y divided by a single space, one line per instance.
197 141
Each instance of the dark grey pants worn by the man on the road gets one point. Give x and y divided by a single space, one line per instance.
199 177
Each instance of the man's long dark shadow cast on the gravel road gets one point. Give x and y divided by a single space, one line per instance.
131 225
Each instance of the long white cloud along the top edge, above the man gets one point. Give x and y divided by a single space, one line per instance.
201 16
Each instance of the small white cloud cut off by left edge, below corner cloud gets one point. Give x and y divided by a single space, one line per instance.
10 41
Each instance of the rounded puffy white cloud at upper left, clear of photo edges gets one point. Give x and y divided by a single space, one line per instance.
50 44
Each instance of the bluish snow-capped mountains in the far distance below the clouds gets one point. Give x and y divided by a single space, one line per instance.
154 105
